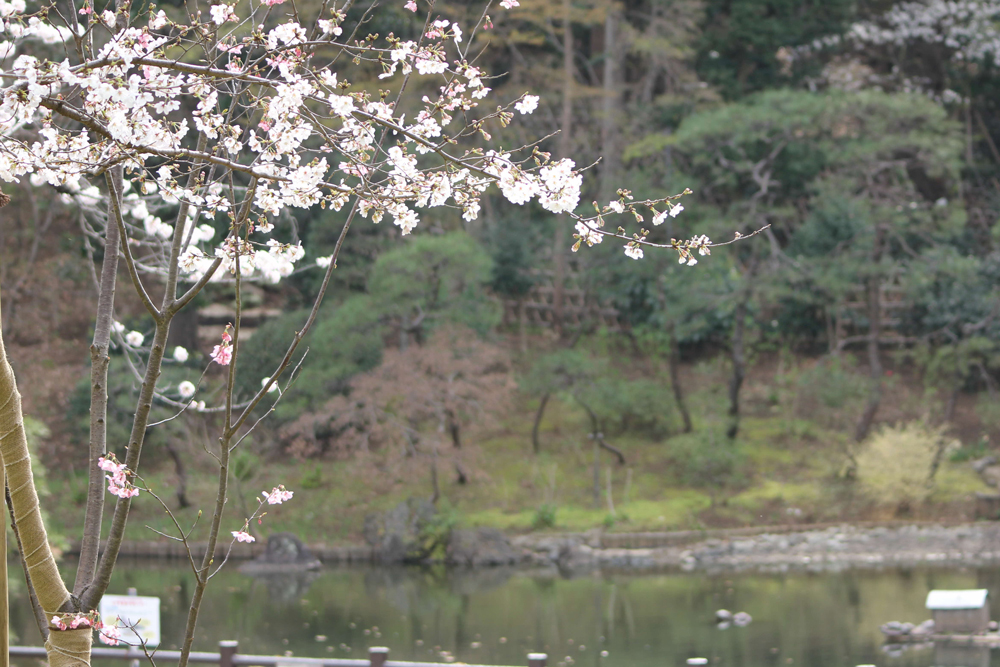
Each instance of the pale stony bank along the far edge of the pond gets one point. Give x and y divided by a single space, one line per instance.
776 548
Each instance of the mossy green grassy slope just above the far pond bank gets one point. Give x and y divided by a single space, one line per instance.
787 471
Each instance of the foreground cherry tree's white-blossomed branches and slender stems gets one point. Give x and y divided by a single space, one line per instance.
128 109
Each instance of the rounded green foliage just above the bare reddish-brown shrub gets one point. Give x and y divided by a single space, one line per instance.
416 288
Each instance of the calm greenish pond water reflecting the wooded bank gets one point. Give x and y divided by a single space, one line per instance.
826 619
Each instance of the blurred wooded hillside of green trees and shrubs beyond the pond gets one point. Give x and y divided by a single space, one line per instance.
866 303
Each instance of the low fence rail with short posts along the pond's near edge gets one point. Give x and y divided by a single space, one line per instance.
229 656
